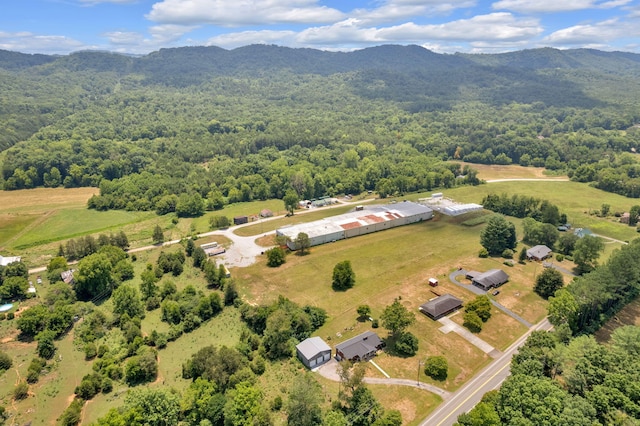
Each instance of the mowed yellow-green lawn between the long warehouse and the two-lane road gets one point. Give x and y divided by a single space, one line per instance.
389 264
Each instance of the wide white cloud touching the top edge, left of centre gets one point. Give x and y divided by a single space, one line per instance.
230 13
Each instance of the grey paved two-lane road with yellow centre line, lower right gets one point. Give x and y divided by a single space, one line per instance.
491 377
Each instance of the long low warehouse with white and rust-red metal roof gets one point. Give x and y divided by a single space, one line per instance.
369 219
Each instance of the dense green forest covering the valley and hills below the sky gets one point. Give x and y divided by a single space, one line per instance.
254 122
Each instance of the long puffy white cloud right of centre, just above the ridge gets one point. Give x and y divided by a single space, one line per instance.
492 27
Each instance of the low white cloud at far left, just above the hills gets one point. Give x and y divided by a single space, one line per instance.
27 42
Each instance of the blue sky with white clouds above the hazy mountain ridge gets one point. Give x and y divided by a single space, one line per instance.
473 26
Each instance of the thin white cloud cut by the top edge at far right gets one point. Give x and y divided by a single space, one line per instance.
550 6
